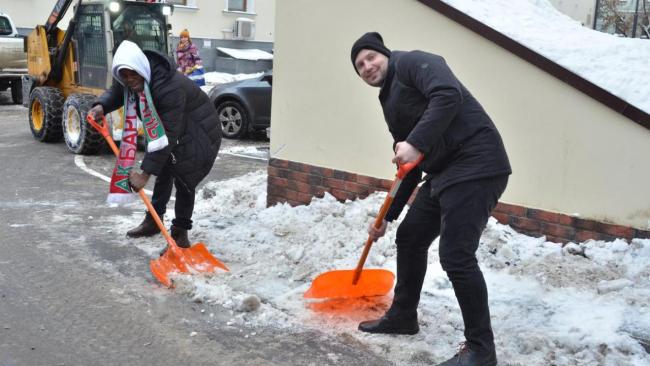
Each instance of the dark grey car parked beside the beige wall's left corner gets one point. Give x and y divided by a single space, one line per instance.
243 106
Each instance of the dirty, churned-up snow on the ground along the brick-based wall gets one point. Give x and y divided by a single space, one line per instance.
584 304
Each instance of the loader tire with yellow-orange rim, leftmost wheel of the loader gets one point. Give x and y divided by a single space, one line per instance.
45 111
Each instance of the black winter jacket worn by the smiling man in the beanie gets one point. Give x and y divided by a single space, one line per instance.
425 105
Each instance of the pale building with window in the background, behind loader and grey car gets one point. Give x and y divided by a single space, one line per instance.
213 25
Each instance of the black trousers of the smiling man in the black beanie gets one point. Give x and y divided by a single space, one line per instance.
458 214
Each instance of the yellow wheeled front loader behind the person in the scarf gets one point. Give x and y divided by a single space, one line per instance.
68 69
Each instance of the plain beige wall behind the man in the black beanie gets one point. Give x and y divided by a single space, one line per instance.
569 153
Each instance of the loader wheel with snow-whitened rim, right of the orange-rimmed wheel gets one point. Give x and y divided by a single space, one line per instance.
79 135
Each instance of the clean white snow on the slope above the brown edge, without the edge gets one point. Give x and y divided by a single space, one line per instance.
616 64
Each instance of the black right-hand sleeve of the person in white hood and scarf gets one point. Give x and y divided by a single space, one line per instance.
170 105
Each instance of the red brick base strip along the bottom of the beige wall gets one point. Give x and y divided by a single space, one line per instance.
296 184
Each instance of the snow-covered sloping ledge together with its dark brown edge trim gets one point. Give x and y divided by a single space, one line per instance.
608 68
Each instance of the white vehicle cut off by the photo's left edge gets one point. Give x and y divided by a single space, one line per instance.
13 59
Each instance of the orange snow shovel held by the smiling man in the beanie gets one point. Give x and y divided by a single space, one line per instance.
361 282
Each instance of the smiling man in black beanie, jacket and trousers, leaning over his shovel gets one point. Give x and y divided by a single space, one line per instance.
428 111
